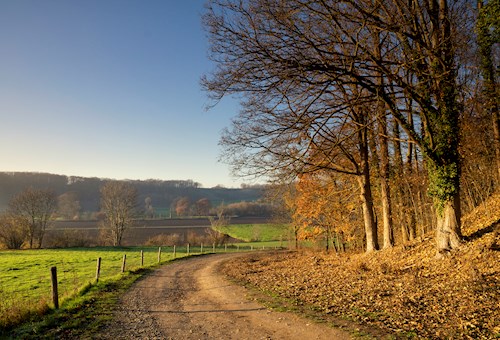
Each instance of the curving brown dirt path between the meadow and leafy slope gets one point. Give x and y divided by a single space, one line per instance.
189 300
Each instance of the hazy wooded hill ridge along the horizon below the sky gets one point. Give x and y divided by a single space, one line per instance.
162 193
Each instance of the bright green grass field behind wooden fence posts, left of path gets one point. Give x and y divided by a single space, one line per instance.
25 281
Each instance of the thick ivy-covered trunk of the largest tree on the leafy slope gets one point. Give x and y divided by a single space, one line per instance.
442 131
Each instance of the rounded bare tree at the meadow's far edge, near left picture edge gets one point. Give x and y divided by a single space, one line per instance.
33 209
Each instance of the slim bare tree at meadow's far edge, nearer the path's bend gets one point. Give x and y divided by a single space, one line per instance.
119 204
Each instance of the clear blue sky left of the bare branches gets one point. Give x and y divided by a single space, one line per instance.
108 88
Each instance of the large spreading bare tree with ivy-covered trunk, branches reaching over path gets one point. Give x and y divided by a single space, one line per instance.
300 62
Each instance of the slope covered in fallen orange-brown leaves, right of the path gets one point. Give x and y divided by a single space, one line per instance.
406 292
